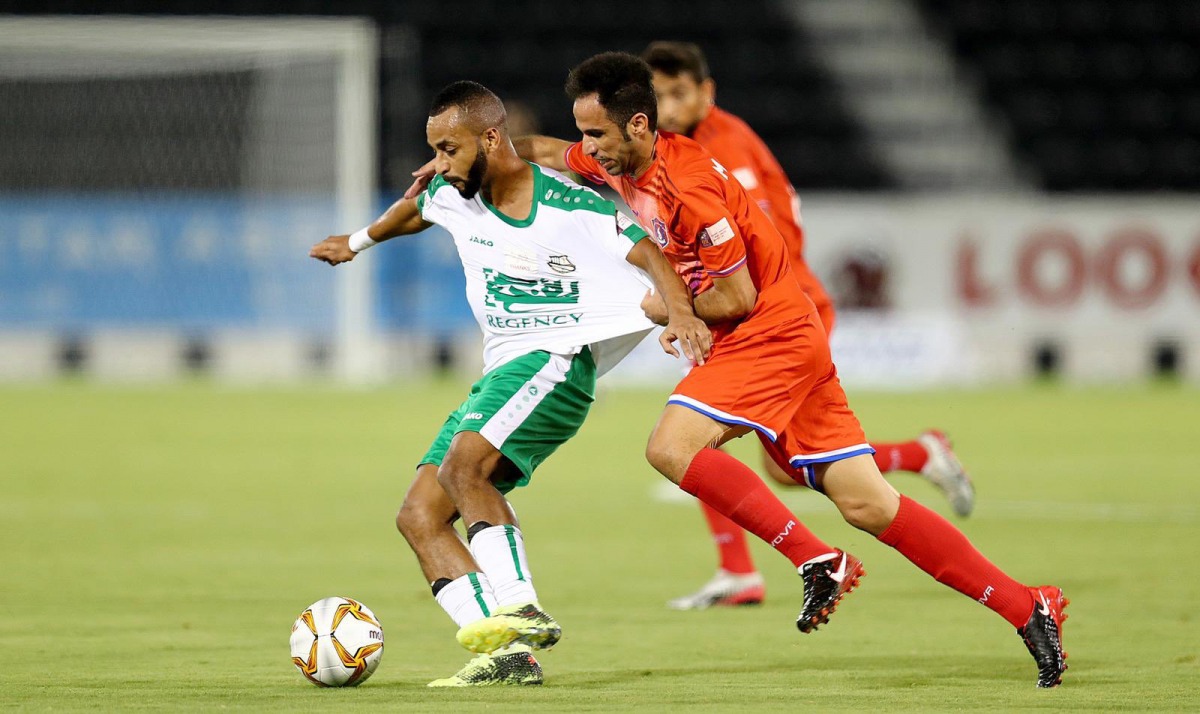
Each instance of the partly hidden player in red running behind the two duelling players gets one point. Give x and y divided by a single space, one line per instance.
686 95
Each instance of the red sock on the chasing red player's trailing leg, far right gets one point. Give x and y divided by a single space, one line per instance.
944 553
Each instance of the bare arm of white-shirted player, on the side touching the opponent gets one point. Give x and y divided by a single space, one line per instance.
671 305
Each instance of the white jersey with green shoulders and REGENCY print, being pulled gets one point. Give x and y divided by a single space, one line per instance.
557 280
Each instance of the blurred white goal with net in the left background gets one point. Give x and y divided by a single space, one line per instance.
185 166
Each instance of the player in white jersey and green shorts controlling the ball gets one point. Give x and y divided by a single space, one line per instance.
556 279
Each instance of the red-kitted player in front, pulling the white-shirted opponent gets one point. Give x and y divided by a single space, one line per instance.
770 369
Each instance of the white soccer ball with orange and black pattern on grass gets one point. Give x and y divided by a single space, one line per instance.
337 643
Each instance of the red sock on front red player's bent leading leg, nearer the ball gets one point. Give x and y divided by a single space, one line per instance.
740 495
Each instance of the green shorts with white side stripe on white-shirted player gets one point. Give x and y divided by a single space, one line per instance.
526 409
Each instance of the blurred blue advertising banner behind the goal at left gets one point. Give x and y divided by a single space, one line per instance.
202 263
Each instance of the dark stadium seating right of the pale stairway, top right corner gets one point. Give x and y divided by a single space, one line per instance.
1100 95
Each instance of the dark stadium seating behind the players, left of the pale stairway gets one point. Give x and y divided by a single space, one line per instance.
763 67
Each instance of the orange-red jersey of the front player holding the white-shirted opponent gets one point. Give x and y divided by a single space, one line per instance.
706 225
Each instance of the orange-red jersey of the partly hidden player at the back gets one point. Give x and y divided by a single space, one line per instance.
748 159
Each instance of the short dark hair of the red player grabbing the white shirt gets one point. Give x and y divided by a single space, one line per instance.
623 85
